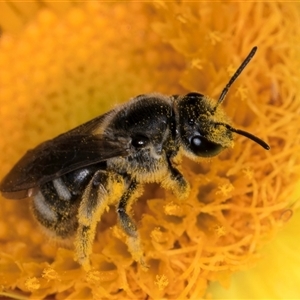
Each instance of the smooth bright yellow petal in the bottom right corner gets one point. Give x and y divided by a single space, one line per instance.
276 274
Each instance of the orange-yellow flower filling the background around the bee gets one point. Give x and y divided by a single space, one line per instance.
63 64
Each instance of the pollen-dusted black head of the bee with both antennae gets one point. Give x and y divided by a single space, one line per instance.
203 128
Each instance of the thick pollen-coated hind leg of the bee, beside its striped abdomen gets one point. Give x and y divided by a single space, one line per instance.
95 200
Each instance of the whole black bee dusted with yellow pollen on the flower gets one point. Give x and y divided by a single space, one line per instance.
75 176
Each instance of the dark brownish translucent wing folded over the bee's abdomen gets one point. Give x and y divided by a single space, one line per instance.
61 155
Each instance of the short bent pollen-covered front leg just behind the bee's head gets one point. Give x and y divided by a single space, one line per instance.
176 182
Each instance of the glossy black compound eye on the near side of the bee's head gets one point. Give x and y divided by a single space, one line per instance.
203 147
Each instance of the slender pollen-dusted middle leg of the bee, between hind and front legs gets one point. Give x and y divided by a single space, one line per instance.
134 190
